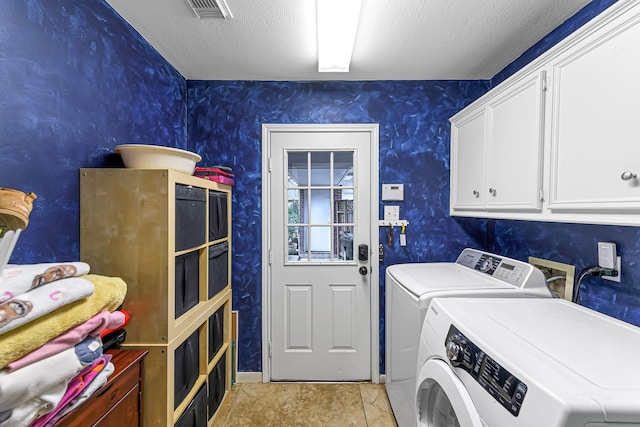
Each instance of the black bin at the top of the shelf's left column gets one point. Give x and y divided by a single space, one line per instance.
191 213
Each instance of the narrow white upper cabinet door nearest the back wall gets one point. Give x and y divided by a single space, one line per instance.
467 161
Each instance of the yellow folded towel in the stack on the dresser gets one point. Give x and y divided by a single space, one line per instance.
108 295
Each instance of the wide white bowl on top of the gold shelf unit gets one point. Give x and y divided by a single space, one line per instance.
140 156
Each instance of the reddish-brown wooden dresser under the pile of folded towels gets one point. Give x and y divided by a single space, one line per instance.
117 403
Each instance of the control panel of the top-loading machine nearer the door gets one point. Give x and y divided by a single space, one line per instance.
512 271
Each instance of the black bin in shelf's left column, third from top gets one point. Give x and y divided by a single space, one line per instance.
186 368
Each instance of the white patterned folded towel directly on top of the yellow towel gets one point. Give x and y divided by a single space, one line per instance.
42 300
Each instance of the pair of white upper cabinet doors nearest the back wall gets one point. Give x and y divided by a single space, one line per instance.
496 150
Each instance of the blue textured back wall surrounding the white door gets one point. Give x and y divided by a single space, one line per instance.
225 121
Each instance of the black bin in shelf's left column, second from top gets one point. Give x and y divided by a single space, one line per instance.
187 282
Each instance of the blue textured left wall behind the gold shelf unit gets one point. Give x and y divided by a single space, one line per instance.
76 81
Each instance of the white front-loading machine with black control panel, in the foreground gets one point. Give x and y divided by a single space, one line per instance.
526 363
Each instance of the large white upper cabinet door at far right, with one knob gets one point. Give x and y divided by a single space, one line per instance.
595 113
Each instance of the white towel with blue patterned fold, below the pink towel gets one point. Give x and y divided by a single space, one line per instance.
19 387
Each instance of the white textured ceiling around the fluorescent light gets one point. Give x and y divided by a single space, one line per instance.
396 39
